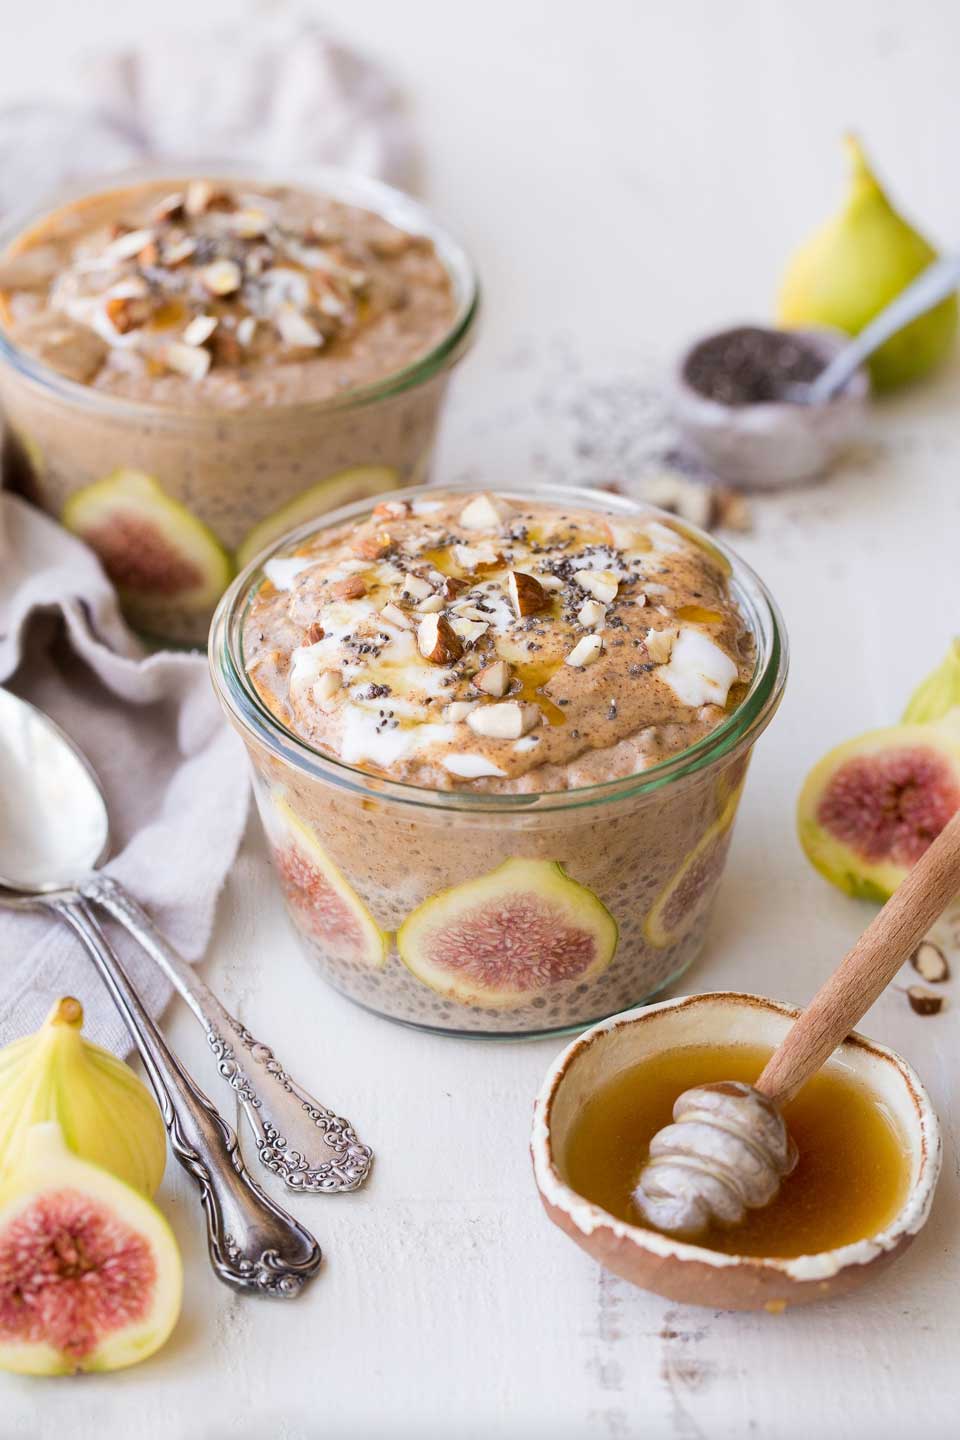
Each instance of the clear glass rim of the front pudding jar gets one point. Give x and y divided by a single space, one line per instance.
738 731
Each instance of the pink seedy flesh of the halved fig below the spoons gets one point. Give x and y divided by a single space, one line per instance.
71 1274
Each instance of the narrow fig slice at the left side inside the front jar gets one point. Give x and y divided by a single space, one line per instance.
325 902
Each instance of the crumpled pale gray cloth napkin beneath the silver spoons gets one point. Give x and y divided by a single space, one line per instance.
173 773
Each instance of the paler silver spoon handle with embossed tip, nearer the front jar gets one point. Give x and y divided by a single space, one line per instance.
297 1138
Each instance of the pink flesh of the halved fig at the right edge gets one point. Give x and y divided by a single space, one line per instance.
890 806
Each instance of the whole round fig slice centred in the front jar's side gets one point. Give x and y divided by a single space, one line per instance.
509 937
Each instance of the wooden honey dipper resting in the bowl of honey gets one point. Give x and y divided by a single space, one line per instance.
729 1147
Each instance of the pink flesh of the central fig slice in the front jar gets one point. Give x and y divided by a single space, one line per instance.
522 944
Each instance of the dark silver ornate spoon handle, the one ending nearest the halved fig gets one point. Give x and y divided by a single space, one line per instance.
254 1245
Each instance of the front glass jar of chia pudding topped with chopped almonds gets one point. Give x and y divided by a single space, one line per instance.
499 742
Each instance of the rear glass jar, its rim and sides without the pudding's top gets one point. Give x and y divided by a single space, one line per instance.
243 474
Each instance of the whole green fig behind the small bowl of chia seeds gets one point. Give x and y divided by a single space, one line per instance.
854 266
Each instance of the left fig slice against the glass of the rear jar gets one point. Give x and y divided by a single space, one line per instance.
163 561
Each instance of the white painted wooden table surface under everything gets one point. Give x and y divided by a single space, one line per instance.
689 146
